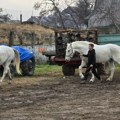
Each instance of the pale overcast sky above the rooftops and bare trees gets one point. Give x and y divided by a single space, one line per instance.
24 7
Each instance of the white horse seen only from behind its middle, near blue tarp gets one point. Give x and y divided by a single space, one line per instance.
7 56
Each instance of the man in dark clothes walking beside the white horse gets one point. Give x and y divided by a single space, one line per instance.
91 65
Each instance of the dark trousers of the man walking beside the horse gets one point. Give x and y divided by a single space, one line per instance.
93 71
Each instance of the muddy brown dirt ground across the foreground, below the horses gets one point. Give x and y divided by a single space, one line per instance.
54 98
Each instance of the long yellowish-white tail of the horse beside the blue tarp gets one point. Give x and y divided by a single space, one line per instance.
17 61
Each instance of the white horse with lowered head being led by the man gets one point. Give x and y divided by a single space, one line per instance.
109 53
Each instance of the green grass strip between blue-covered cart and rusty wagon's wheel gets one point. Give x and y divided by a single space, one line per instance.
47 69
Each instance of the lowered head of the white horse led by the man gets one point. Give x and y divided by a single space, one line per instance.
69 52
